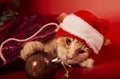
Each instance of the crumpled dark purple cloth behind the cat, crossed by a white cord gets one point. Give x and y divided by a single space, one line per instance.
23 28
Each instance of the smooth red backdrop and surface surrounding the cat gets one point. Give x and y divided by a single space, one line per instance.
107 63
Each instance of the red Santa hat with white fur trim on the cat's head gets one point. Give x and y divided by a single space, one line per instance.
85 26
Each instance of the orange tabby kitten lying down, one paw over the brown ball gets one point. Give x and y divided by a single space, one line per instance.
70 51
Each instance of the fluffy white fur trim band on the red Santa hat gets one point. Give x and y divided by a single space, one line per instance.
80 28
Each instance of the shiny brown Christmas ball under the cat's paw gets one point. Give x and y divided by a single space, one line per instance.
39 66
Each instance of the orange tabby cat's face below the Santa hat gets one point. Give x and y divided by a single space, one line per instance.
71 51
